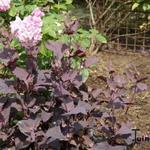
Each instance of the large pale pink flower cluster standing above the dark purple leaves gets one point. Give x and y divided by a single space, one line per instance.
28 30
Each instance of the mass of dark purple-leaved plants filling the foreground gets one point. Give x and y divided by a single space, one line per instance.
55 109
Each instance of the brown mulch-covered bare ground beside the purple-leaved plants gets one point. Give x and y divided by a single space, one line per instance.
140 113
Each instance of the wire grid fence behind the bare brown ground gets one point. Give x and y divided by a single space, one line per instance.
130 35
